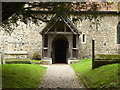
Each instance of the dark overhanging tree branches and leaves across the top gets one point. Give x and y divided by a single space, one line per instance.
25 11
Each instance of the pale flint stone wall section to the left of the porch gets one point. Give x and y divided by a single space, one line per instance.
23 38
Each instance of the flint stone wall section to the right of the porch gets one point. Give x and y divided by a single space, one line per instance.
102 28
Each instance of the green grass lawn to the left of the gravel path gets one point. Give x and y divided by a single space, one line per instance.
22 75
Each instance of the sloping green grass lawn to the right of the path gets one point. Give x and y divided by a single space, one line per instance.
102 77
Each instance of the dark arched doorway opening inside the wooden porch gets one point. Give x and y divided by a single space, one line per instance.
60 50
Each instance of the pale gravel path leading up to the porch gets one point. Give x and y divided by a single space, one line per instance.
60 76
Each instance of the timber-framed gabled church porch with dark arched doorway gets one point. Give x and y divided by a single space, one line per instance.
60 40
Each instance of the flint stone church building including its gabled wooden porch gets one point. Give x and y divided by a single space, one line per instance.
65 39
